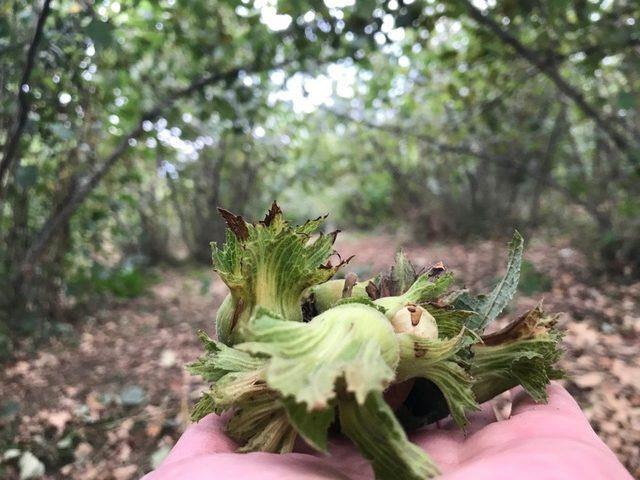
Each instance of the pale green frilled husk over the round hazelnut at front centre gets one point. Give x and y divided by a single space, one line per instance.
351 341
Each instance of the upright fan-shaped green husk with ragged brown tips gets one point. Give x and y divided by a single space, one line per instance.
269 264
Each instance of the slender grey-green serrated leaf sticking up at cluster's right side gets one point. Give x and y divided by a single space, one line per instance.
491 306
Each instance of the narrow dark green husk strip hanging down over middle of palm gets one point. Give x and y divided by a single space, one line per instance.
374 429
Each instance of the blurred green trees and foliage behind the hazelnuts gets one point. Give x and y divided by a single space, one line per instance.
124 124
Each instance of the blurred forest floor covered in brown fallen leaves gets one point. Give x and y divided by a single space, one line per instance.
109 400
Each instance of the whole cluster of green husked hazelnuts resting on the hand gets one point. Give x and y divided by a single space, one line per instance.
296 349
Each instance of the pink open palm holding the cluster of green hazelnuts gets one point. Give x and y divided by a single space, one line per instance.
538 442
